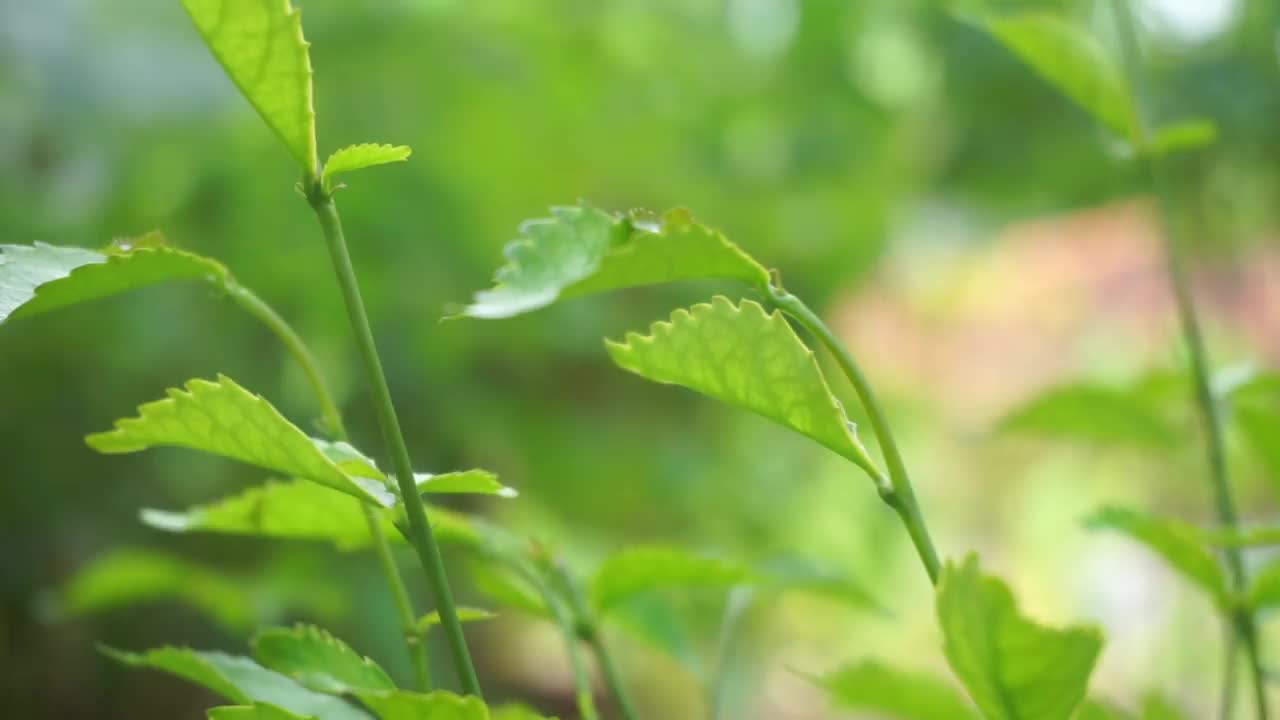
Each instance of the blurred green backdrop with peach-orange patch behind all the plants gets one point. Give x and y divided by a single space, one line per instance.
973 236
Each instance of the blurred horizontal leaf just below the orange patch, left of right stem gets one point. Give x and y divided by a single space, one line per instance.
1095 414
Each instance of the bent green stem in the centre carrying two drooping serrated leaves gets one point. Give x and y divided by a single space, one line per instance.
899 494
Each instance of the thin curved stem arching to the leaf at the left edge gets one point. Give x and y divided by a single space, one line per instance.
255 307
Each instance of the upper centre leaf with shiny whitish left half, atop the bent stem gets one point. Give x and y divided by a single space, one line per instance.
583 250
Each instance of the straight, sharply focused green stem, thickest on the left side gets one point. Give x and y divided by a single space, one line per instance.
419 530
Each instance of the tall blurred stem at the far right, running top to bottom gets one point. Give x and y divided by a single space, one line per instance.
1212 420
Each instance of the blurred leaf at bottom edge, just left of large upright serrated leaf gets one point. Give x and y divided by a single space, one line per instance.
874 687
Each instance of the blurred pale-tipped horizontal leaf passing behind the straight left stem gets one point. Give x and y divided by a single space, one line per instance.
301 511
